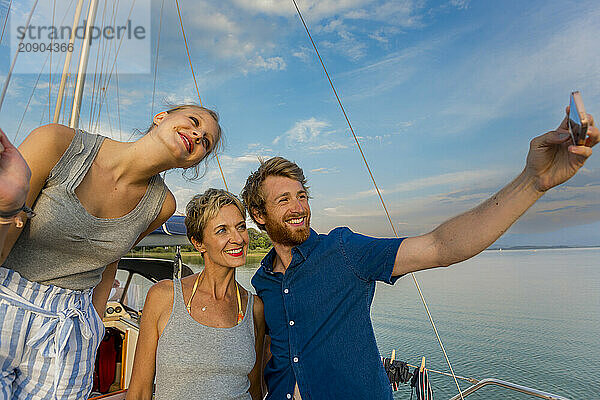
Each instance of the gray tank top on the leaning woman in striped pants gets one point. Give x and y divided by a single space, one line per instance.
66 246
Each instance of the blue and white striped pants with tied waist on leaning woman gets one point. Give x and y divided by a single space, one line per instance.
48 340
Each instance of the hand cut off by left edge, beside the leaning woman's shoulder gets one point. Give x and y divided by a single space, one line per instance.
14 176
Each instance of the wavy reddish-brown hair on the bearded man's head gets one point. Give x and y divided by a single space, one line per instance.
253 195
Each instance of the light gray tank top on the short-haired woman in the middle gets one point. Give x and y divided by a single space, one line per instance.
194 361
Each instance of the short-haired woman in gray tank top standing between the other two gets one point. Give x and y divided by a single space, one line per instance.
202 337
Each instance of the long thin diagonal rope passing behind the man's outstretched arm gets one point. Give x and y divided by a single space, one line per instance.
377 189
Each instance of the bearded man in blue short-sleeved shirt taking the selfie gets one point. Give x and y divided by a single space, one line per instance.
317 289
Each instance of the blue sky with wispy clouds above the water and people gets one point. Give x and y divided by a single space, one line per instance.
444 97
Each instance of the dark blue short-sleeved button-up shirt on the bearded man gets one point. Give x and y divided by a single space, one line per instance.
318 317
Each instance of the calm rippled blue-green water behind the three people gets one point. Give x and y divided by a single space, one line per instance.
529 317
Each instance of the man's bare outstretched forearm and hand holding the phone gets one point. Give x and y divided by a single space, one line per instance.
552 160
